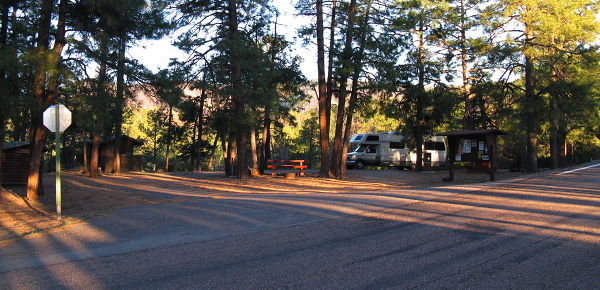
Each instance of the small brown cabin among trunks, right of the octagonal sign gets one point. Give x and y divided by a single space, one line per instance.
129 162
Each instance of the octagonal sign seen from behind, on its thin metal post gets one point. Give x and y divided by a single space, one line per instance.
57 118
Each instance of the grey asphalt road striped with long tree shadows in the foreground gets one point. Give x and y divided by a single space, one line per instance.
534 233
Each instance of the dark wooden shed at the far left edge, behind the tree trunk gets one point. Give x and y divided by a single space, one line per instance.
15 163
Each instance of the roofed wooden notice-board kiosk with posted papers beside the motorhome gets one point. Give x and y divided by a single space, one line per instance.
476 146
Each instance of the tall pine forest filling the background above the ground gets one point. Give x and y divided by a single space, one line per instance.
239 98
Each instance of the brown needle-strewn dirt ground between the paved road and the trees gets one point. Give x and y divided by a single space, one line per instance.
84 198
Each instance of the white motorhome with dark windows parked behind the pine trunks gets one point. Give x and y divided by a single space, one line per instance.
389 149
